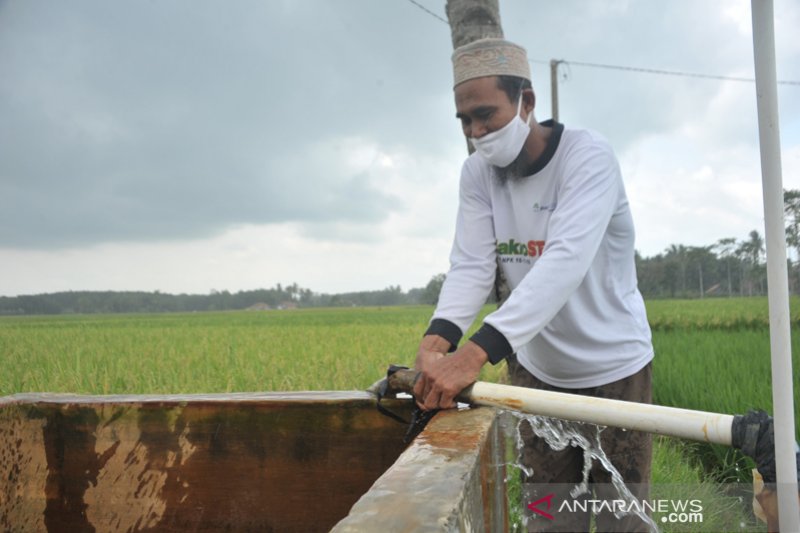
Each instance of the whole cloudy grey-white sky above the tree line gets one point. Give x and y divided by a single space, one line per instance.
186 145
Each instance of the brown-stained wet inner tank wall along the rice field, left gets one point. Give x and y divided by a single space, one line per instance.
240 462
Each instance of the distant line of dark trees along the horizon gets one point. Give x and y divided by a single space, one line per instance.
729 267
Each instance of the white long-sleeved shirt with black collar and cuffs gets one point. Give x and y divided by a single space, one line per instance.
565 239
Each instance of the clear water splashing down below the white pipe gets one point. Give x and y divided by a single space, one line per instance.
558 434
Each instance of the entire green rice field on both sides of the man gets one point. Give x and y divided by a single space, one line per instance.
711 355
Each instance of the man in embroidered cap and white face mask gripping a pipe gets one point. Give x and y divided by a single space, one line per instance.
549 204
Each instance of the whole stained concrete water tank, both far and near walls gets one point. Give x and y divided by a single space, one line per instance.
244 462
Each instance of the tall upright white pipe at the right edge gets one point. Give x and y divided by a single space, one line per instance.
777 275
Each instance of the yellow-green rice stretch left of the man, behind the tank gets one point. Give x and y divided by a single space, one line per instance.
208 352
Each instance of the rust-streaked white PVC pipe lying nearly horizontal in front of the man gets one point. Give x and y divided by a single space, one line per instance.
670 421
